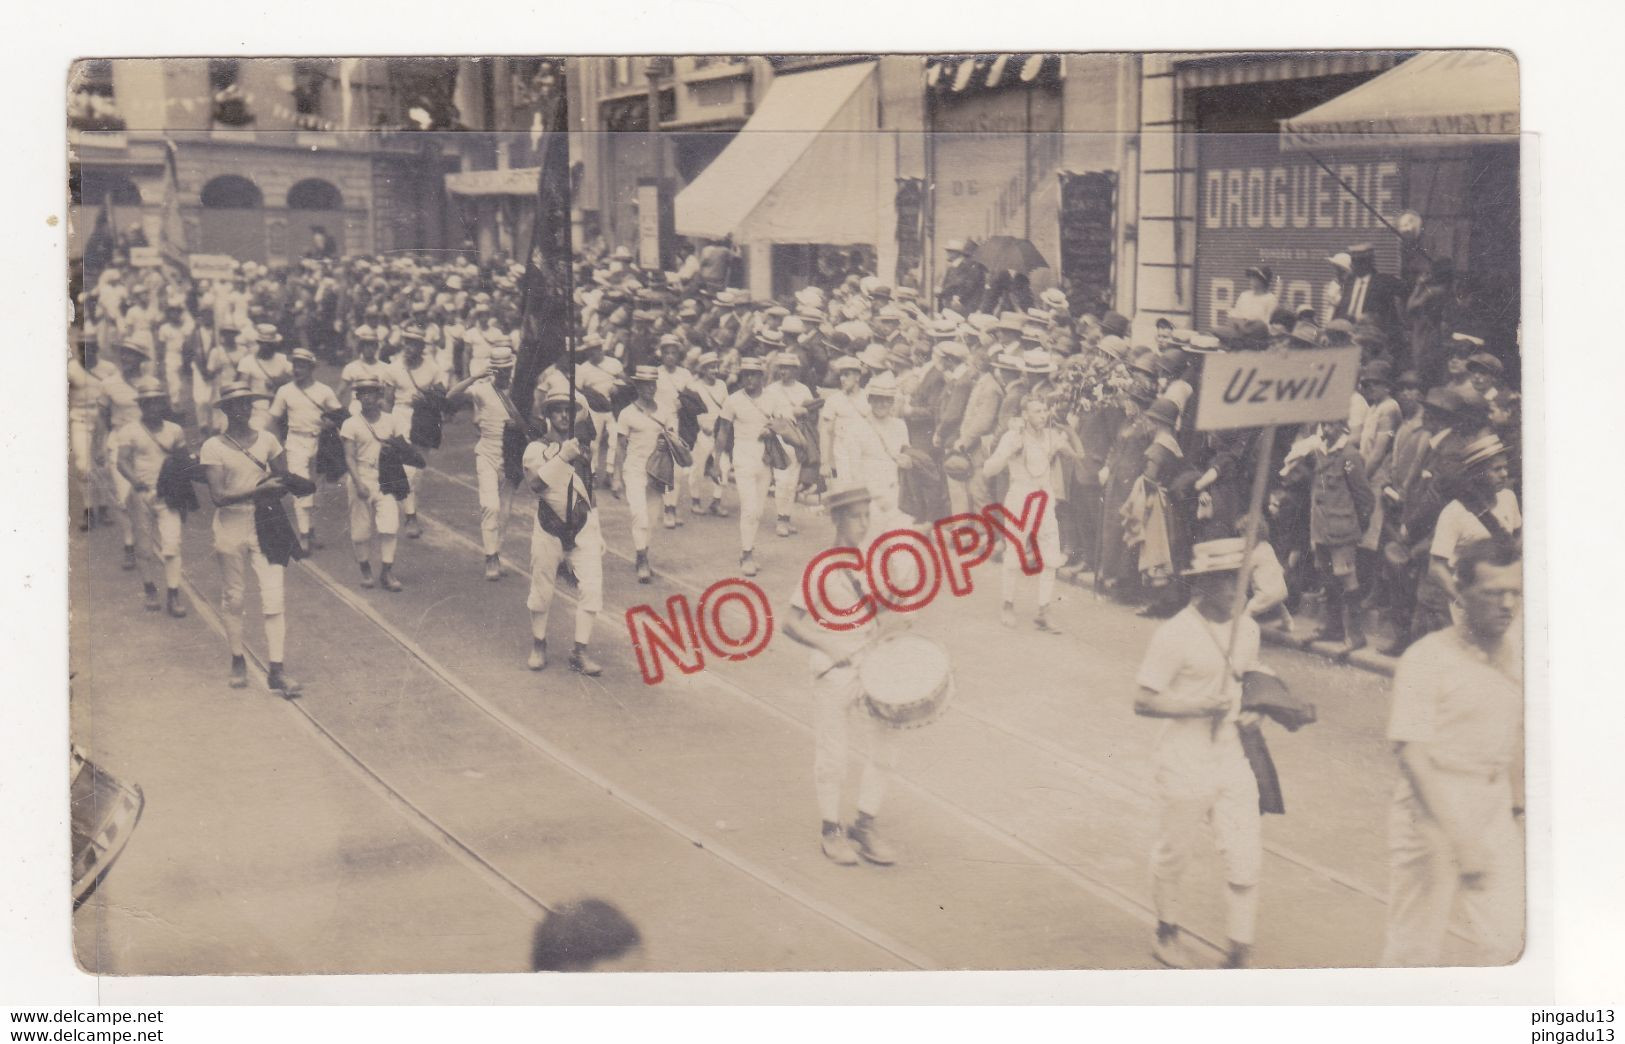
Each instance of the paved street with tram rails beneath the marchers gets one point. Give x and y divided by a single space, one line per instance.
430 799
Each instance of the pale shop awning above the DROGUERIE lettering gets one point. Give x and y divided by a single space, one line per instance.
1436 98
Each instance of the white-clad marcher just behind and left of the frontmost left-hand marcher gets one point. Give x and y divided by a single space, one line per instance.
144 446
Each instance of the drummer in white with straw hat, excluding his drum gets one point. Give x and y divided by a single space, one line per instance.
838 697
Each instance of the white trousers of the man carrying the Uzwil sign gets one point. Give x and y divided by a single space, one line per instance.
1228 801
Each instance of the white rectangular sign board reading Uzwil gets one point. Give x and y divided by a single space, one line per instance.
1250 389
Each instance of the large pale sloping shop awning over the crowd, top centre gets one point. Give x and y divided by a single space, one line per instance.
802 170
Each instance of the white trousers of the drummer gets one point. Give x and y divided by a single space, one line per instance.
836 715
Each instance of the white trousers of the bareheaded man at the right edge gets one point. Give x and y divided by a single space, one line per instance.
1424 882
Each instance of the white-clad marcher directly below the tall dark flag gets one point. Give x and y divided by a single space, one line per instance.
555 468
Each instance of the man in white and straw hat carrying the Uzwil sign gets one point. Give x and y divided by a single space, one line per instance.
1194 681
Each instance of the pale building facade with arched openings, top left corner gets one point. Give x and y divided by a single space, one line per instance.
266 152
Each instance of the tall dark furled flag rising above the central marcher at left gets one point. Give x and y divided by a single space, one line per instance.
547 294
